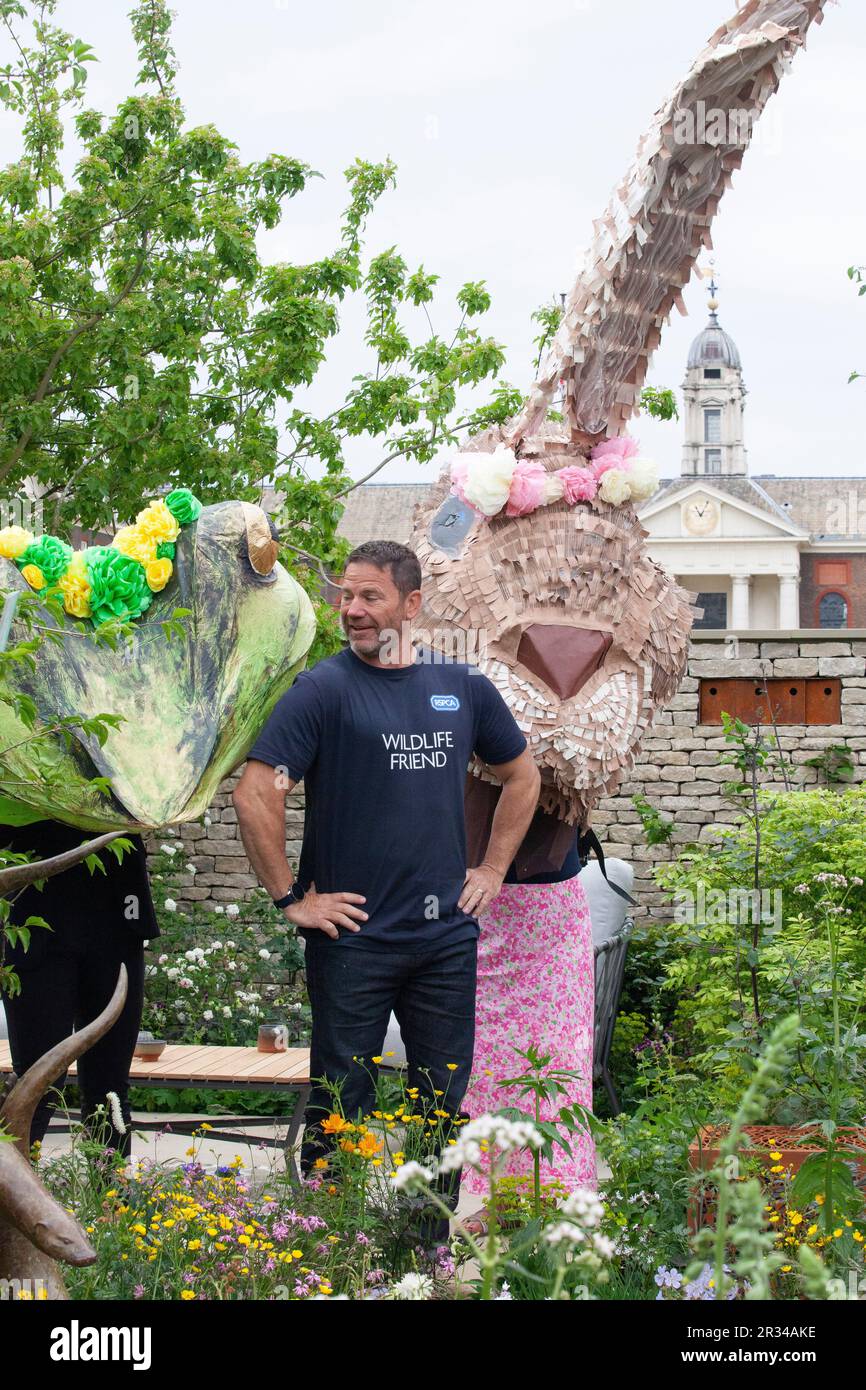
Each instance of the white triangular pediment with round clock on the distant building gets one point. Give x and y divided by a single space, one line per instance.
707 512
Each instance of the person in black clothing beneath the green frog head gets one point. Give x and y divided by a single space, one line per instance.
69 974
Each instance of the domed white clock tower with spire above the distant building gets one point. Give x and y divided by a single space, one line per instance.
715 395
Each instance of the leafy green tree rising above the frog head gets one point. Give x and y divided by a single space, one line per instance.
145 343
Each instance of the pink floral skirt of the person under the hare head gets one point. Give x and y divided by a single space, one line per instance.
536 986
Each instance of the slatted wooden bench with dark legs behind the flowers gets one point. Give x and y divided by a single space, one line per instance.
219 1068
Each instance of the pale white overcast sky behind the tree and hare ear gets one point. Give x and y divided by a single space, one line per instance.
511 122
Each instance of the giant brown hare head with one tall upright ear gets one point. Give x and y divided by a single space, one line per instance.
533 553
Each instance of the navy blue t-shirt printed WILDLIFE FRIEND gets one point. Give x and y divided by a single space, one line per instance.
383 754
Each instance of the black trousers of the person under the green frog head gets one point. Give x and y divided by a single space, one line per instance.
69 989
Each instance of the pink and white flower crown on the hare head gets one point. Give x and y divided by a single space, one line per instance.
491 482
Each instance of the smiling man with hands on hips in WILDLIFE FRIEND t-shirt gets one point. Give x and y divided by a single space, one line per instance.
383 896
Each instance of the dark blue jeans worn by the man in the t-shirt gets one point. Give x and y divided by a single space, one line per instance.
354 992
